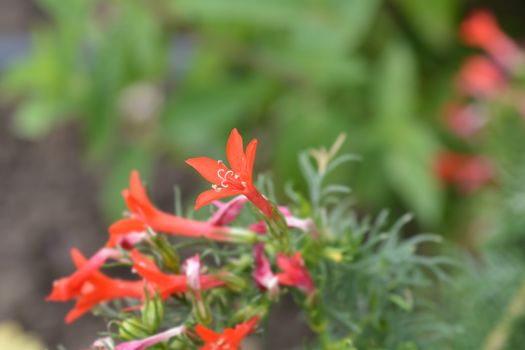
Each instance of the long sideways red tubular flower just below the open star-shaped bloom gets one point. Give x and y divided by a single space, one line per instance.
143 214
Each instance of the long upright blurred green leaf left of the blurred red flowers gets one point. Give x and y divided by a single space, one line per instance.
410 148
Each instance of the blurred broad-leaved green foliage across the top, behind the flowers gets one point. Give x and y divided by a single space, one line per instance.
208 66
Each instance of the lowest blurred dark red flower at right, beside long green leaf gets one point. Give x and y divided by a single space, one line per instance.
467 172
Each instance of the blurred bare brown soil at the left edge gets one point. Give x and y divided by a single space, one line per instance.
47 205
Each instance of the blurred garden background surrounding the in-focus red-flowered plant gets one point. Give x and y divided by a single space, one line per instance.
92 89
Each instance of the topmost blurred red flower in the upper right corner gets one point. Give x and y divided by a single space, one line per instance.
480 29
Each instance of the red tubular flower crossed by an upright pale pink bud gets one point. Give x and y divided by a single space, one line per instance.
168 284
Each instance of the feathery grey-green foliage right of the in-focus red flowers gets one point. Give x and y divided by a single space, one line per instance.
372 278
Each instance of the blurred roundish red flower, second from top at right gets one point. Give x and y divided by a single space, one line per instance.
480 77
